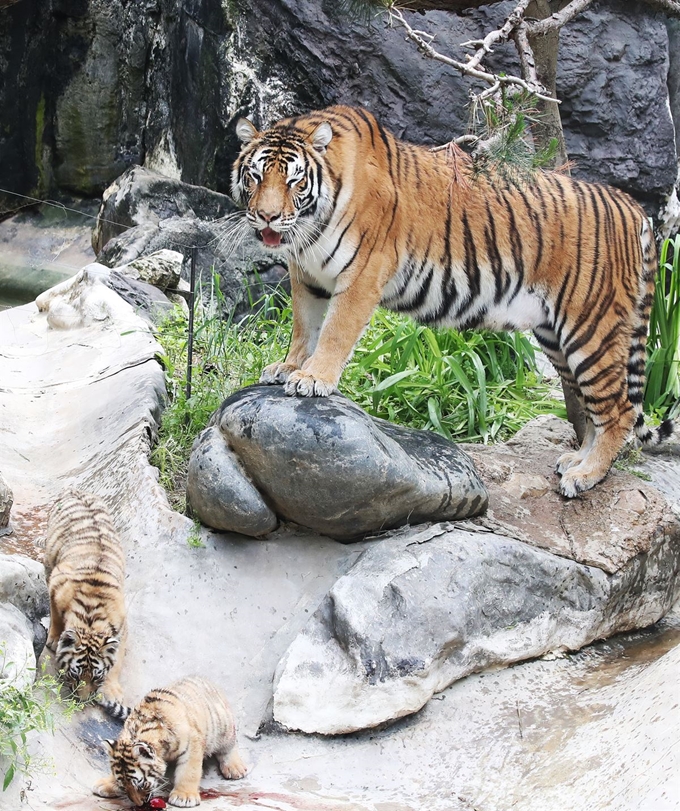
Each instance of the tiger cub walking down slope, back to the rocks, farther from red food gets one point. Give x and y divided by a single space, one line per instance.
85 569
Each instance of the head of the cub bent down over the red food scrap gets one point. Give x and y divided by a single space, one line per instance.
138 768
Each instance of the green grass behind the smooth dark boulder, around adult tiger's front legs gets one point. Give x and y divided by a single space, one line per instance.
474 386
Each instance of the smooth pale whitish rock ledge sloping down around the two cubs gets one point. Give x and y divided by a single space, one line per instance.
595 730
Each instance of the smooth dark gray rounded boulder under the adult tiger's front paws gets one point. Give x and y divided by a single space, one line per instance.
325 464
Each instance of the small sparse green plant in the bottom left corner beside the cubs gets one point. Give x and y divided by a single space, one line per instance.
23 711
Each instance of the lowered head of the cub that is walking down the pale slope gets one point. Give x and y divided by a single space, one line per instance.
85 657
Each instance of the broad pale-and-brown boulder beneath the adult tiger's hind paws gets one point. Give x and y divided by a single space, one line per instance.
430 605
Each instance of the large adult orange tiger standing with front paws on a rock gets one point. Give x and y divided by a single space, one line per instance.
365 219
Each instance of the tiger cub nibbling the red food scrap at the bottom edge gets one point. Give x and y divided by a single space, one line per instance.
183 723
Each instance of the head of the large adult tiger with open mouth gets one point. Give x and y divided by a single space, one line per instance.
281 178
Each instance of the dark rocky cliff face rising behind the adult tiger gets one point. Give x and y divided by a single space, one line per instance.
94 86
